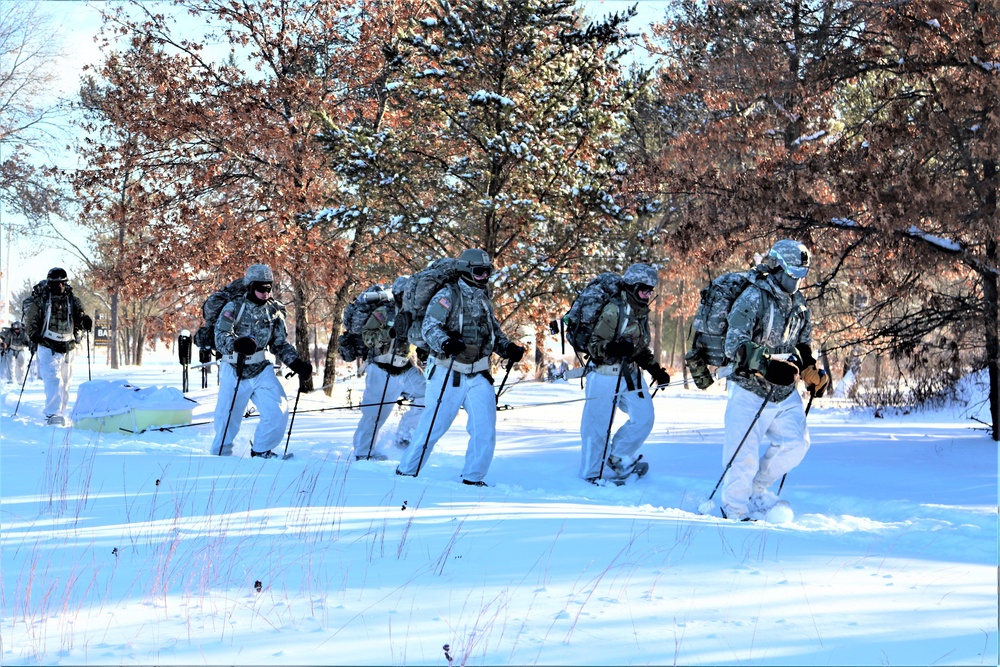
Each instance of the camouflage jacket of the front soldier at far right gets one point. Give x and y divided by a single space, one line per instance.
768 316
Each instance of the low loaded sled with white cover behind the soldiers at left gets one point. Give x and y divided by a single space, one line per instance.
114 406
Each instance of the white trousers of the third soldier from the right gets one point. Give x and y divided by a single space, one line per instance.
475 394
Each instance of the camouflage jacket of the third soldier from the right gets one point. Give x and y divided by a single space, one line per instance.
467 311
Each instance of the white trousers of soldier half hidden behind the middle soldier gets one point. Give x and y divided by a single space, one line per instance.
410 383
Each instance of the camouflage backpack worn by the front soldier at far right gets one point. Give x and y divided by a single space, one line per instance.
711 322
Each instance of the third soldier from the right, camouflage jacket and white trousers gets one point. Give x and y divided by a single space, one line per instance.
462 332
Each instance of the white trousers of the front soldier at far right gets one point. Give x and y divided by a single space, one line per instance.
783 427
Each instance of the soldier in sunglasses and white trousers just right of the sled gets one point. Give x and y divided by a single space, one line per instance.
248 328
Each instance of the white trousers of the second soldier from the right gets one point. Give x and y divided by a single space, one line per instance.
627 440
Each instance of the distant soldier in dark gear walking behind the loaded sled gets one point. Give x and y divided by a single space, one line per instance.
53 320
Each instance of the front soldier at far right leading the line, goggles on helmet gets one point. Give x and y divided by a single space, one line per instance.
769 337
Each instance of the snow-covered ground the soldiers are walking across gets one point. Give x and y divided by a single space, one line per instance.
143 549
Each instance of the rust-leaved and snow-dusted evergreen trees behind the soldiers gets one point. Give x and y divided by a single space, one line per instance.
347 142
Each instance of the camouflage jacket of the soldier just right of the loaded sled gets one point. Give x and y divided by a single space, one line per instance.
265 323
